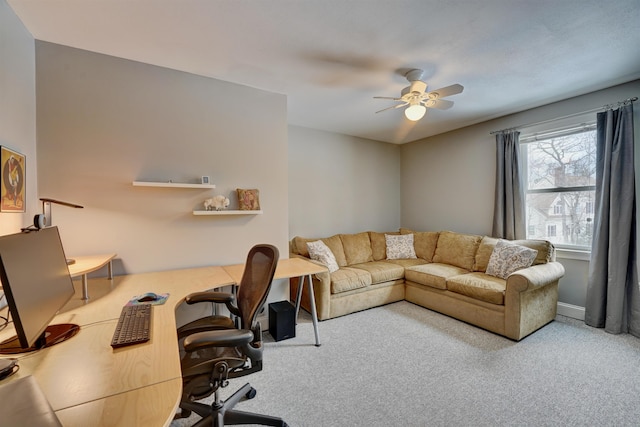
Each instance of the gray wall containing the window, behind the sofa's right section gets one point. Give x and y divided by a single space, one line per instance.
448 180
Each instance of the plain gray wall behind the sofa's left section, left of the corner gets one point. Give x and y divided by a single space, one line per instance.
341 184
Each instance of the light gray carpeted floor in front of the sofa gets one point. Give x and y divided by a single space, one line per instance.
403 365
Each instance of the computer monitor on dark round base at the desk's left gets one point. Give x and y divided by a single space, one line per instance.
36 282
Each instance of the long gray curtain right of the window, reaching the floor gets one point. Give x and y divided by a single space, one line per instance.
613 296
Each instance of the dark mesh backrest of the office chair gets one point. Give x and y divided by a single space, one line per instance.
256 282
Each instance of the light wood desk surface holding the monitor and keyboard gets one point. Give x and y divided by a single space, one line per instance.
90 384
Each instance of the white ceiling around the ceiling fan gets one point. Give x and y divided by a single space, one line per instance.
331 57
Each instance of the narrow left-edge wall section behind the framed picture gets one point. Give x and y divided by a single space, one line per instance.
18 109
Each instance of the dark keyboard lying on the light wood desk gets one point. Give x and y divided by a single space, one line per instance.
134 325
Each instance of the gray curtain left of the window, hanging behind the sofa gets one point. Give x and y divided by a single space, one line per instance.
508 212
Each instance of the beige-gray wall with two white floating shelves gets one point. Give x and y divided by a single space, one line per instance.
104 122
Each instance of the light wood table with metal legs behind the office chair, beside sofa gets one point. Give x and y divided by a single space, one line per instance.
288 268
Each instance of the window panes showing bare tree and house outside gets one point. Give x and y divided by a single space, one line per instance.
560 182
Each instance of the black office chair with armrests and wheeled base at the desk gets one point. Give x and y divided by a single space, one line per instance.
218 350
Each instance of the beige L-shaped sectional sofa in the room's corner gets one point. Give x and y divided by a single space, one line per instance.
447 275
